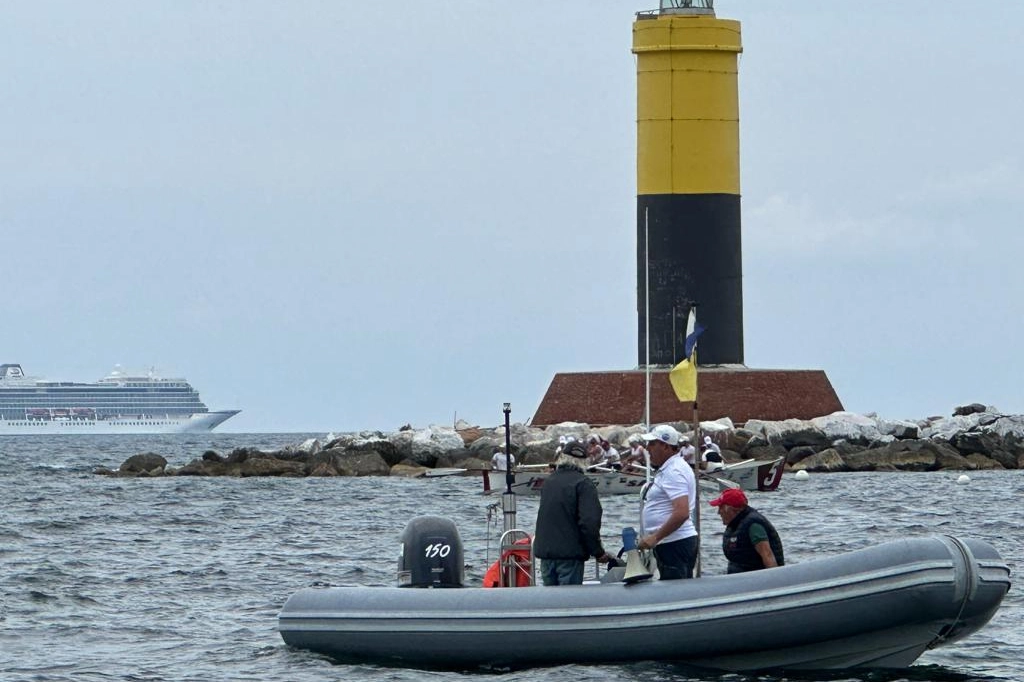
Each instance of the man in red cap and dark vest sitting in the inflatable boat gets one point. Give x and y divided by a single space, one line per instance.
750 541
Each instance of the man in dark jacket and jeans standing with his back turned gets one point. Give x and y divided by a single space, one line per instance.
569 522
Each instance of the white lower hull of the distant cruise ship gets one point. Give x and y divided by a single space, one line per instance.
136 424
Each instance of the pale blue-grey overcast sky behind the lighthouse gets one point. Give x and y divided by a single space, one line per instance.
338 217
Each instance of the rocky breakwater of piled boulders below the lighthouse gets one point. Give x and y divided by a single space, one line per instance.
974 438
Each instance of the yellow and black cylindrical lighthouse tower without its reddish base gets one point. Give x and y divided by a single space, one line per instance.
689 230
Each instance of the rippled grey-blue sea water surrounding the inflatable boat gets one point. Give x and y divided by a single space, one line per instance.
182 579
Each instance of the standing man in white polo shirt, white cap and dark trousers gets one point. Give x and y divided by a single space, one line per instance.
669 506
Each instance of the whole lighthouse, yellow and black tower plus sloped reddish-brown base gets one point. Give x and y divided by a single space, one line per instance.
689 243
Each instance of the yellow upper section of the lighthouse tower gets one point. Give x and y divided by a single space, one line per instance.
688 105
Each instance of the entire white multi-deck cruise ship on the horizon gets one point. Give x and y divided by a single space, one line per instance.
117 404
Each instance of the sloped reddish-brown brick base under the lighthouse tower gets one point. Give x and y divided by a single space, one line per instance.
737 393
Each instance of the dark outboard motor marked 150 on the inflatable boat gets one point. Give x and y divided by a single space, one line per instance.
432 555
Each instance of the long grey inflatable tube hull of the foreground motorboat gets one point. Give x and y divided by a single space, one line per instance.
881 608
